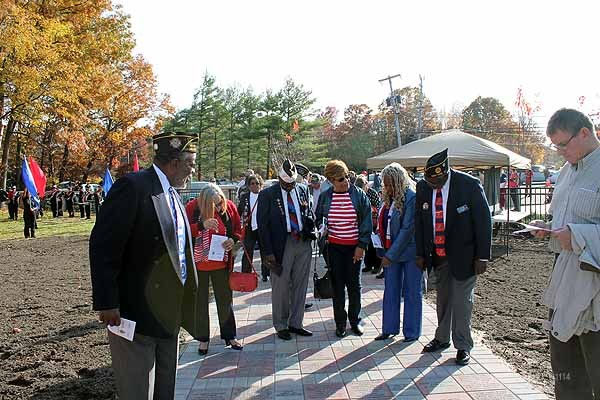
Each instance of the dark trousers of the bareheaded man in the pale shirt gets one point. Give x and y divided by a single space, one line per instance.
576 367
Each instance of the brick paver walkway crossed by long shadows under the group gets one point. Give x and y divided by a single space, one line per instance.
326 367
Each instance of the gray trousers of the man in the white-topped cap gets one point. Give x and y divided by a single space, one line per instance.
288 293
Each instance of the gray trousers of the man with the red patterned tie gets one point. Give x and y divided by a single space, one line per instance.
454 305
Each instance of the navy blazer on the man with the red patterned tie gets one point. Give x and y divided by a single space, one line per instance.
468 225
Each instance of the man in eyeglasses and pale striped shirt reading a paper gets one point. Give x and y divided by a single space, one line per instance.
573 294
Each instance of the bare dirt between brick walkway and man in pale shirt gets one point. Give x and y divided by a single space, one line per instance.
509 313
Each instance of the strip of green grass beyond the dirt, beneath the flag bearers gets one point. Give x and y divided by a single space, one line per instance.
47 226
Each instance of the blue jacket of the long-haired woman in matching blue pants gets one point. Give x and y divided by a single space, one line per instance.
402 230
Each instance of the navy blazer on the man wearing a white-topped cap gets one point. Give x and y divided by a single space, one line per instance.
272 225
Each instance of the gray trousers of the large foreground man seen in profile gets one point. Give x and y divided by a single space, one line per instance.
145 368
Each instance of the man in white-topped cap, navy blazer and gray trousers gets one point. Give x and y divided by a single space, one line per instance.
286 229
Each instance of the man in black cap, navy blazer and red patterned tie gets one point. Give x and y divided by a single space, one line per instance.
453 230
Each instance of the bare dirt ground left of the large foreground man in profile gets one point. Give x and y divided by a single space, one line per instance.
61 352
